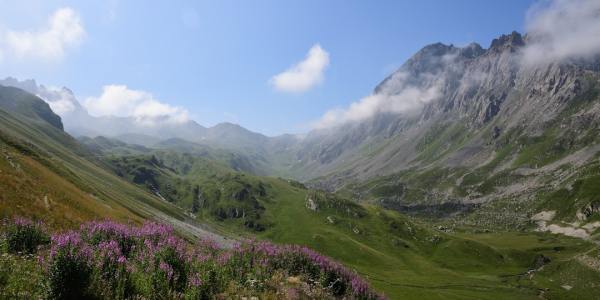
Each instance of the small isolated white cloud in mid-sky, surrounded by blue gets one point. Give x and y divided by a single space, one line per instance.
305 74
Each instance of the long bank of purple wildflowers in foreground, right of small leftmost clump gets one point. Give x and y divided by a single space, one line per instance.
110 260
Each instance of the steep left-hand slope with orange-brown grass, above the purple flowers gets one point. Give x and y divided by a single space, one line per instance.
48 175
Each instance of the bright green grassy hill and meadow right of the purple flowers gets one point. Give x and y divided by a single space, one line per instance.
407 259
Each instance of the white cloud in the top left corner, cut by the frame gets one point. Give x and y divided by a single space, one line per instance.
63 31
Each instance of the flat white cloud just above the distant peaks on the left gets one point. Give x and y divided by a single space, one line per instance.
120 101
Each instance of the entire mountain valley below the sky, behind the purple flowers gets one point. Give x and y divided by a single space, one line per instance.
489 188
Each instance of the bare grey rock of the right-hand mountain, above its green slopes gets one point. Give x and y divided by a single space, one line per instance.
479 89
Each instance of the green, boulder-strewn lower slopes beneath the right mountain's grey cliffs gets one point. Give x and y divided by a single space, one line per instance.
530 172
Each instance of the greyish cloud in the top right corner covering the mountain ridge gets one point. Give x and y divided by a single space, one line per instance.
562 29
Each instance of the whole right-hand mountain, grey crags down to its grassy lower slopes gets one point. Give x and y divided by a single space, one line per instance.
496 128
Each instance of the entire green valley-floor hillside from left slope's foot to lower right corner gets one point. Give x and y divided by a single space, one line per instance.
403 256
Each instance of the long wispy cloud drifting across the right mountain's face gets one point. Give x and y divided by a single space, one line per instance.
408 99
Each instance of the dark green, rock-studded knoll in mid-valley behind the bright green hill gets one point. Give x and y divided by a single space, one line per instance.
205 188
